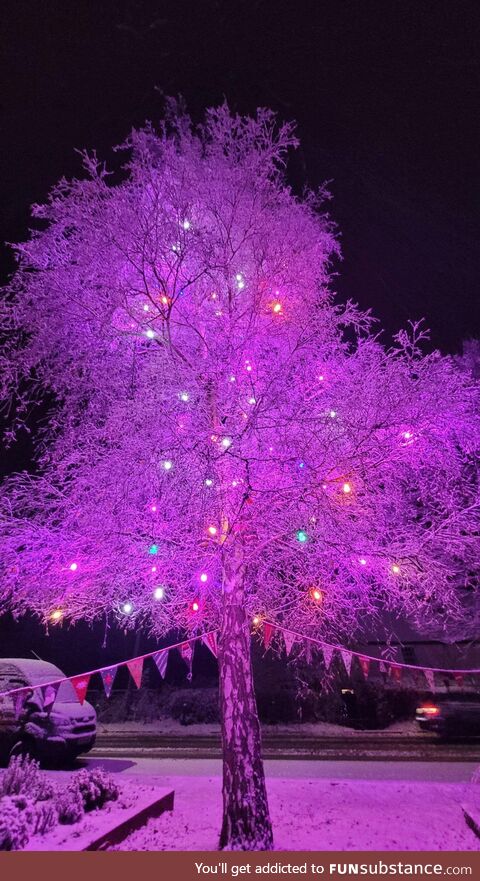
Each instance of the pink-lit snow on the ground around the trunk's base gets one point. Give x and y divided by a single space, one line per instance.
321 814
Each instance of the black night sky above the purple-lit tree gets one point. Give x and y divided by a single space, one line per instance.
386 95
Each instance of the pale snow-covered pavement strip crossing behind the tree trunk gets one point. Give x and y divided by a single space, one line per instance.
443 772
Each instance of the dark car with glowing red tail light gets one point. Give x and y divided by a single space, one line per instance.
451 715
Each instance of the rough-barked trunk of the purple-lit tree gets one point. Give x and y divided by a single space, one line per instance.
246 819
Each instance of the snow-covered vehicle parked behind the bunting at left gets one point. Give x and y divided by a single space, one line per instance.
56 735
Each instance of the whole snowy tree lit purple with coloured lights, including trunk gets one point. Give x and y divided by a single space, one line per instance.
225 441
